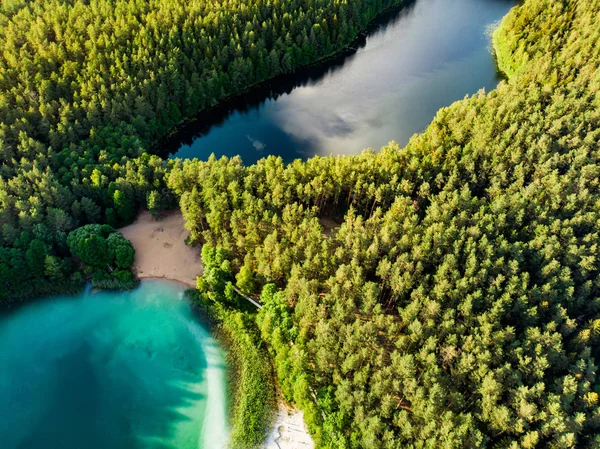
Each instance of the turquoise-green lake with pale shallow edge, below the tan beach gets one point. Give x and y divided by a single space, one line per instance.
111 370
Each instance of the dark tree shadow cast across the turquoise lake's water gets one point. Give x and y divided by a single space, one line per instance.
99 403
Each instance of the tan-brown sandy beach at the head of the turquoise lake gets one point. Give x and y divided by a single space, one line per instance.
160 249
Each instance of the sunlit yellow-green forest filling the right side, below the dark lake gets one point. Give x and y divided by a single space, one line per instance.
457 305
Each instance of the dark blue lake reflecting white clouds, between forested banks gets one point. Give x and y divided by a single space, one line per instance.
414 62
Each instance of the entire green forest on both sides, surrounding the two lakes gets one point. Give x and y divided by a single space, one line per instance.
457 302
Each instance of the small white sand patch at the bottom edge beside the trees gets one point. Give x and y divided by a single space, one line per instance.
289 430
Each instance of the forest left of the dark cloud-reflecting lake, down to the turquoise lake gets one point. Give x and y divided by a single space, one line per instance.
86 87
